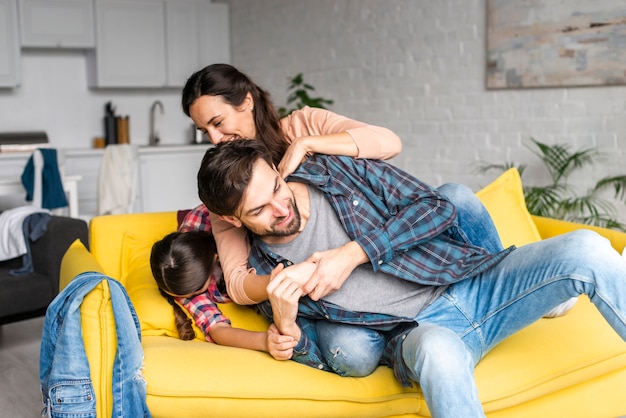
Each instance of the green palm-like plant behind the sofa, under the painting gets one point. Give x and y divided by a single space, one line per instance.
558 199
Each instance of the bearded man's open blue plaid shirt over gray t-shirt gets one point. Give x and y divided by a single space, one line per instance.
406 228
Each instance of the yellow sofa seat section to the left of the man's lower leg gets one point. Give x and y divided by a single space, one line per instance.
199 379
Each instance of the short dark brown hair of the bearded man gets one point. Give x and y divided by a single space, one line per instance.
225 172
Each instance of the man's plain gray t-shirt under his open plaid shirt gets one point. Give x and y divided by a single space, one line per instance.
364 290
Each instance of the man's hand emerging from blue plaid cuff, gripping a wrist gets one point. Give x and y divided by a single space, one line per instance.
333 268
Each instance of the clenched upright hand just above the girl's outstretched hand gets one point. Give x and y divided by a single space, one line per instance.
284 293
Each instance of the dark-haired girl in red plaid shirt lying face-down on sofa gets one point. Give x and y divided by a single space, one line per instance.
185 267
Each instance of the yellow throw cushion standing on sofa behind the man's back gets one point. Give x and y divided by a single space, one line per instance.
504 199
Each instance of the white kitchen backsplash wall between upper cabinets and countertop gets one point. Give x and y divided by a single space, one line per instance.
54 97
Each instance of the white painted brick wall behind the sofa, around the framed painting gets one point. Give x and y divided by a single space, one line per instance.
418 67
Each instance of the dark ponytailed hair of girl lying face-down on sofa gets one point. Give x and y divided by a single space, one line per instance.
181 263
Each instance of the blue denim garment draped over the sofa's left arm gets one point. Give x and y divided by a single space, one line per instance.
66 385
